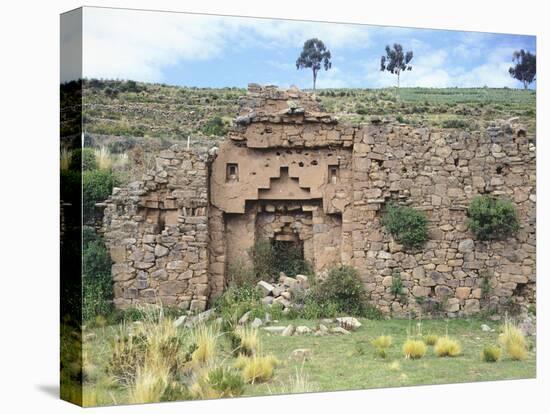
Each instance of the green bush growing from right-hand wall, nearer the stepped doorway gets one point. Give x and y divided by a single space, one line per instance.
407 225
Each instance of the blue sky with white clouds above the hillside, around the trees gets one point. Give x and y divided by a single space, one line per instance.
215 51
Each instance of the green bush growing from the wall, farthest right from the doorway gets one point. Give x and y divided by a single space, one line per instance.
492 218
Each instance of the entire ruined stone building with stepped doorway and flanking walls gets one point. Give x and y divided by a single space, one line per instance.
290 172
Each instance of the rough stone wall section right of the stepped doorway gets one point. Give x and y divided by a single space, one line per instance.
439 173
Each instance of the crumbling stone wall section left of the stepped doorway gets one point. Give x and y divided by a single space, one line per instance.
158 234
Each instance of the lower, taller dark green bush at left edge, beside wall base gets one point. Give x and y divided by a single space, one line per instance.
97 289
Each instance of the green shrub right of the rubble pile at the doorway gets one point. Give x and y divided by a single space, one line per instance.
343 288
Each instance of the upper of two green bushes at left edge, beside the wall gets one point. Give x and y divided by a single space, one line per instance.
97 186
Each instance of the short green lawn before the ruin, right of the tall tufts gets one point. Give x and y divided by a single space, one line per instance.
337 365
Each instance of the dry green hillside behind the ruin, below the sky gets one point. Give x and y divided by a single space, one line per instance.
119 108
